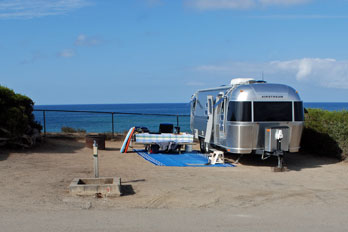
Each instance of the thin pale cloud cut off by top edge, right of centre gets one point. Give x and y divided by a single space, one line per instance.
240 4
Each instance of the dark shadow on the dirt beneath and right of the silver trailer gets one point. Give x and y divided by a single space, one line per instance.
293 161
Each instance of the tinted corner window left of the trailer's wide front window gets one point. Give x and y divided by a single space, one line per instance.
239 111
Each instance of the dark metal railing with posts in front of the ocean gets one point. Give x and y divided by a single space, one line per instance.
104 112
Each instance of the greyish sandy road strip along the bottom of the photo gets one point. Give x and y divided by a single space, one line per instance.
293 218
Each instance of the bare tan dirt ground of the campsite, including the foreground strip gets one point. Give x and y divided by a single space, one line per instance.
312 195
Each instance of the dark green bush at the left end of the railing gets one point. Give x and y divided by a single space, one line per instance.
16 117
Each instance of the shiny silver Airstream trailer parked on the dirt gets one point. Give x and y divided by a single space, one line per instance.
248 116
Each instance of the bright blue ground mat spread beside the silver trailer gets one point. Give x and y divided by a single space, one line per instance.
185 159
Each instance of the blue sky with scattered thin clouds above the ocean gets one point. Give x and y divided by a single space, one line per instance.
144 51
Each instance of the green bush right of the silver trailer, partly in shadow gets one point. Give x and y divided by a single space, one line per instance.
326 133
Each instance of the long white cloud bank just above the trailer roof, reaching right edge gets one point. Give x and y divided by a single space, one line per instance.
316 71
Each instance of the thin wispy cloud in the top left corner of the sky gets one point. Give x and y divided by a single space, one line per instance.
38 8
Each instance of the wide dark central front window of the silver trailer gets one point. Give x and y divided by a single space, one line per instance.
272 111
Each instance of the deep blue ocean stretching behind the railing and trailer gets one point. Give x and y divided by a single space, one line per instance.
92 122
